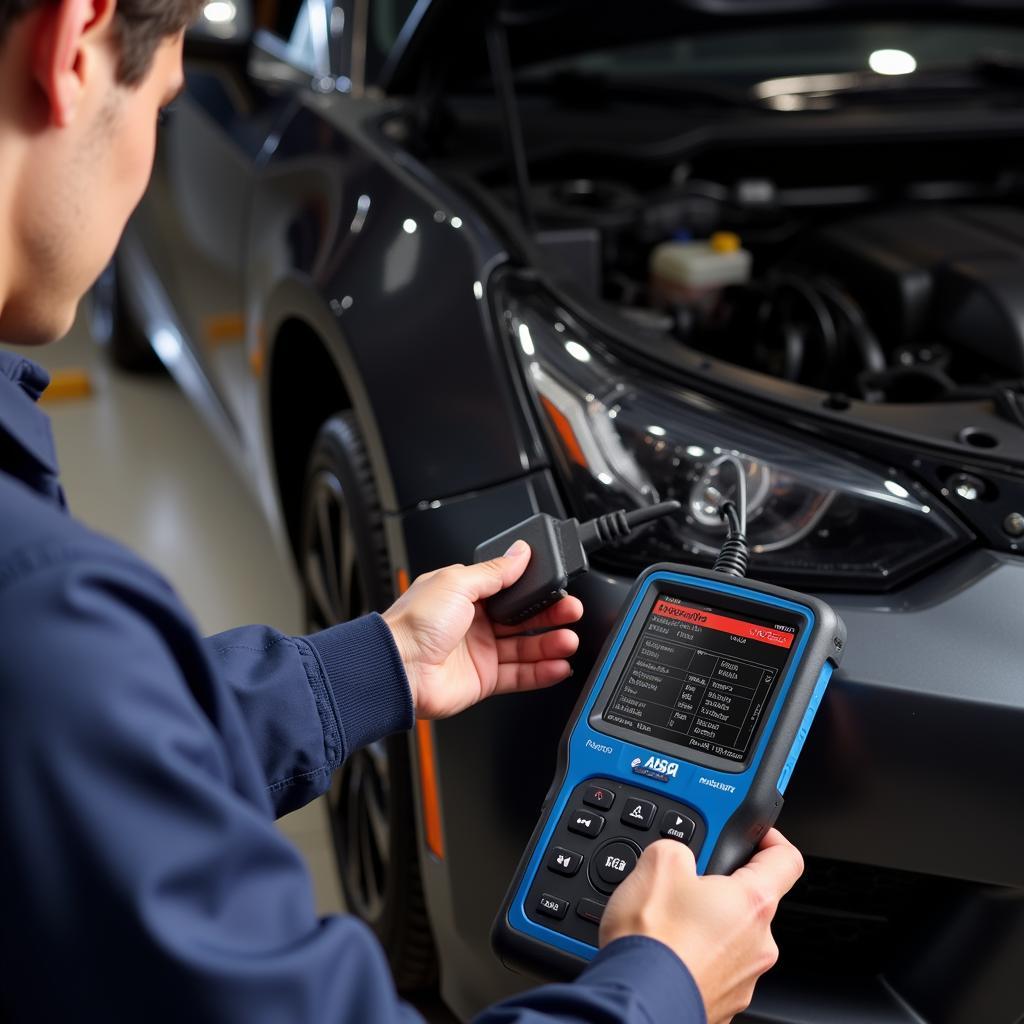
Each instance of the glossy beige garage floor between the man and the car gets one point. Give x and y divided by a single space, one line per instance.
140 465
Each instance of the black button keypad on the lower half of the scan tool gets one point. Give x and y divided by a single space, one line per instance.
590 854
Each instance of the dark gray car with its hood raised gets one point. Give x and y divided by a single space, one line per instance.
401 259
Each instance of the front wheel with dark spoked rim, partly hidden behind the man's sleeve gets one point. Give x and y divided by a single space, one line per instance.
346 573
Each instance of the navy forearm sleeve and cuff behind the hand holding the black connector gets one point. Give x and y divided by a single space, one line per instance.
310 702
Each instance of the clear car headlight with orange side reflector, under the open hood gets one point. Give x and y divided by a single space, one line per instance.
817 519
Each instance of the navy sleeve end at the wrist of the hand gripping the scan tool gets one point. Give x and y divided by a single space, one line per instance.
634 980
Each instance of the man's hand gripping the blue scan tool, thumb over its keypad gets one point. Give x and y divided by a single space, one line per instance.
719 926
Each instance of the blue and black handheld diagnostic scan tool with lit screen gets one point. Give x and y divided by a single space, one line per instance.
689 730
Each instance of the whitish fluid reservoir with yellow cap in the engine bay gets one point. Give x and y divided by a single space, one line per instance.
696 271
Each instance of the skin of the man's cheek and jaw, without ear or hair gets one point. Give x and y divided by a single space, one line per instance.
88 175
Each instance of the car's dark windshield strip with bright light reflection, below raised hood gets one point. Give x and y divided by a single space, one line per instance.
753 56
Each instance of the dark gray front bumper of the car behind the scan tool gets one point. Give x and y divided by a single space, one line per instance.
907 801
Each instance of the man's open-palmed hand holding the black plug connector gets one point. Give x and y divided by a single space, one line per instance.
455 656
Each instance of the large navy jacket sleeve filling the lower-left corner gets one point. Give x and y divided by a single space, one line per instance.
144 877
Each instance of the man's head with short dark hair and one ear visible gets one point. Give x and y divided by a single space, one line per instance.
82 83
